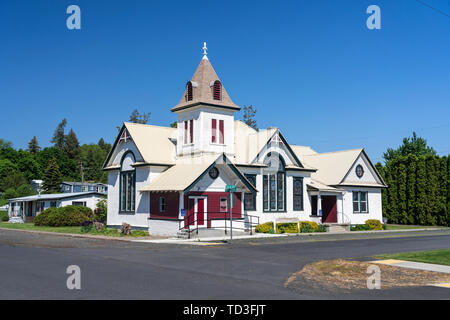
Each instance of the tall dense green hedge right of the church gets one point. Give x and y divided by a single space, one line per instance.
418 190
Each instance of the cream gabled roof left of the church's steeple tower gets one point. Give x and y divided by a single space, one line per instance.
147 139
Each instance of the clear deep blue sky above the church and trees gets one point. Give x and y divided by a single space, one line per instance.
311 68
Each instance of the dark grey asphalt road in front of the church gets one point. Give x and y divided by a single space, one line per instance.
33 267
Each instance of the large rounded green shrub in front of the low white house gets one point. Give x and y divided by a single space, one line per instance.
64 216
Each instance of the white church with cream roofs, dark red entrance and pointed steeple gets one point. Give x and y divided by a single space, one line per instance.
169 179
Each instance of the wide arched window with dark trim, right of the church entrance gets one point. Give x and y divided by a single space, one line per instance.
274 183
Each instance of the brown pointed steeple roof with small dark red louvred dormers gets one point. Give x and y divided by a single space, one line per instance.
202 89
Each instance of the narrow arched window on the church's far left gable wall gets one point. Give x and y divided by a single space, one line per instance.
127 188
